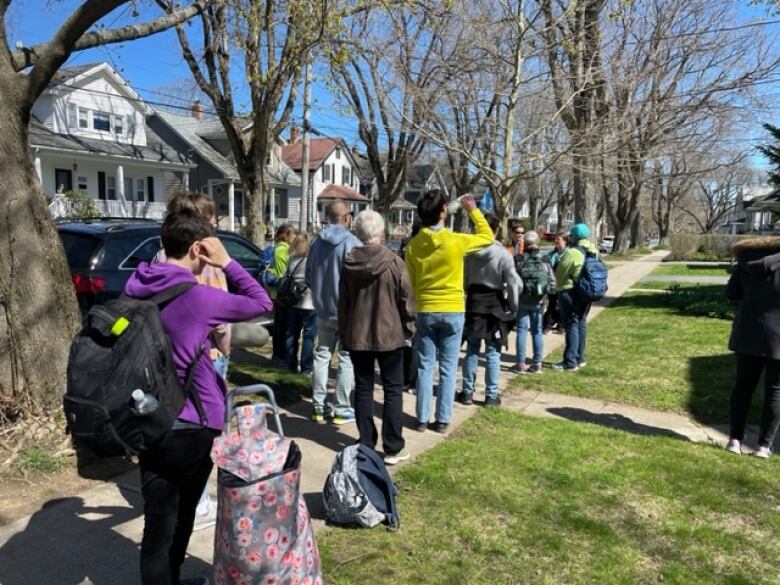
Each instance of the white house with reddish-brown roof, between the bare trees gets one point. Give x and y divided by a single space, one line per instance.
333 172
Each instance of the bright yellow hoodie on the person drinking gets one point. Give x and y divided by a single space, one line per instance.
434 259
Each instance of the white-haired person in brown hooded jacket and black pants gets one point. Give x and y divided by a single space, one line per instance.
376 323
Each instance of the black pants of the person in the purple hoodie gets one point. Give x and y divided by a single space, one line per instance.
173 476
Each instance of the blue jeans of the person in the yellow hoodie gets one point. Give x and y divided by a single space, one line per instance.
440 332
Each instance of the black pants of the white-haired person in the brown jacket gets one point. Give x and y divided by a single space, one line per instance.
391 371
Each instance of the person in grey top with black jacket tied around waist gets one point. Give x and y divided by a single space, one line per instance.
492 291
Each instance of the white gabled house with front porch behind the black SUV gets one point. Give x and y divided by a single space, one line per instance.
88 133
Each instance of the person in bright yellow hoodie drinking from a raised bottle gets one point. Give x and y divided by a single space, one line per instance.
434 258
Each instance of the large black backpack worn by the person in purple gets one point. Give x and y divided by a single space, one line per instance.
123 347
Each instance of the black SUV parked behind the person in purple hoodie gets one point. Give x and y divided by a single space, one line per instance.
103 253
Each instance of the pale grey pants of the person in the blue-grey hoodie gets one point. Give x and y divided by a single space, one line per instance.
327 340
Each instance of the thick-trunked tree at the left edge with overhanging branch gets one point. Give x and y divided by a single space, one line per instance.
38 311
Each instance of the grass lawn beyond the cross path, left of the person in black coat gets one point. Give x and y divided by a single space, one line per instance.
643 352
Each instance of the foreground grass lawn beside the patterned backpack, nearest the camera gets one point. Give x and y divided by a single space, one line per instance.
516 500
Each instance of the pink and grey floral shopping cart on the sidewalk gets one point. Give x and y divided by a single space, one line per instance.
264 534
